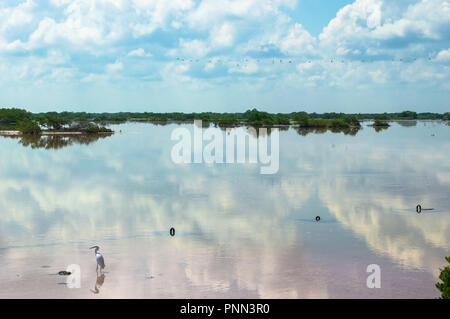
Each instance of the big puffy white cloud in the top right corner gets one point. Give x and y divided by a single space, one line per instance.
387 27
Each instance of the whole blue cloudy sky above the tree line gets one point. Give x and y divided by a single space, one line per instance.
225 56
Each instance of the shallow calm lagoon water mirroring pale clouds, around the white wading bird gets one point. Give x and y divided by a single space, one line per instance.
239 234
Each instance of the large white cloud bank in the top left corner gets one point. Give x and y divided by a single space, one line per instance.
92 23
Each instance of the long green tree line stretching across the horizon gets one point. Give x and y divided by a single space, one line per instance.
32 122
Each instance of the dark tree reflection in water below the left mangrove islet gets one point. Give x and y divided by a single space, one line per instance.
57 141
